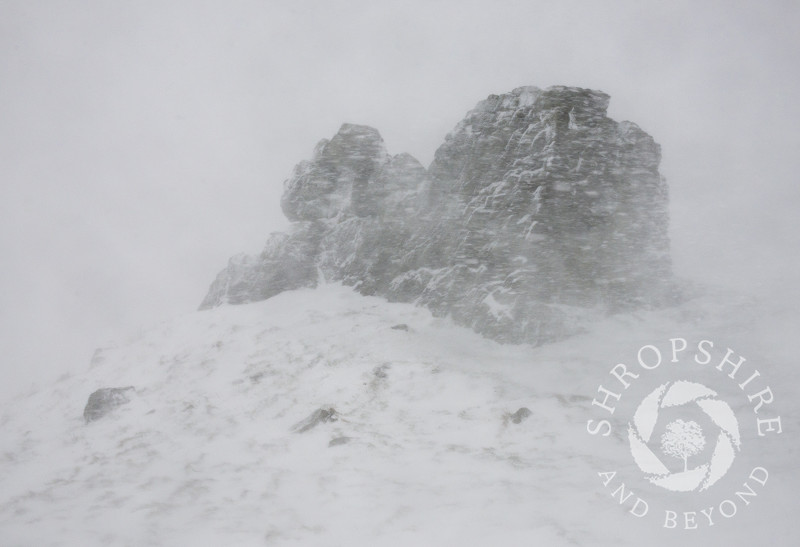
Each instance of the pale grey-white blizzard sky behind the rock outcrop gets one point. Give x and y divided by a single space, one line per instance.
143 143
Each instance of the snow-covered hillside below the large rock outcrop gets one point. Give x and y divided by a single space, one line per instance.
425 451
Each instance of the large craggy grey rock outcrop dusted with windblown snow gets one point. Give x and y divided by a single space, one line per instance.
537 211
